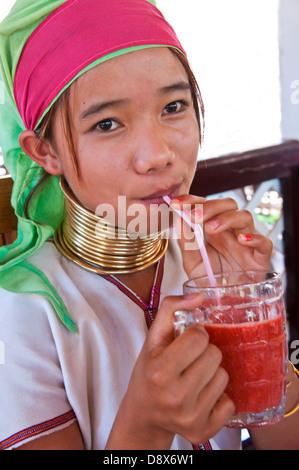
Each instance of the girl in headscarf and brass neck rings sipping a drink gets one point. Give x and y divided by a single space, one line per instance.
103 108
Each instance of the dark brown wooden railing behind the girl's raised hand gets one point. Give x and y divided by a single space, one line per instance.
252 168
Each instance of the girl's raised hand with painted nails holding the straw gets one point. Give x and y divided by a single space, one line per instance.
230 237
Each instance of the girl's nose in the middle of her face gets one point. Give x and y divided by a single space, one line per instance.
153 151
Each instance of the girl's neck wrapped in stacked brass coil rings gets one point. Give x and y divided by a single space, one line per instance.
97 246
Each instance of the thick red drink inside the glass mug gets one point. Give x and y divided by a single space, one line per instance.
254 352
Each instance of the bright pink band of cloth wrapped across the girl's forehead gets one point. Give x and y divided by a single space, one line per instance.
76 35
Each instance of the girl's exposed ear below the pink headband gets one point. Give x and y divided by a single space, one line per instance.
41 152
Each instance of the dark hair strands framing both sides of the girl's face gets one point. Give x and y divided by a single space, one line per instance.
44 131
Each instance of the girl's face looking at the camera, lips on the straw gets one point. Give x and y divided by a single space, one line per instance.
135 131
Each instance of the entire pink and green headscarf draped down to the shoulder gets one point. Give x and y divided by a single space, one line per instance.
44 46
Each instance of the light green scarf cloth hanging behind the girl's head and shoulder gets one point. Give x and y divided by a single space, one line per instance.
46 208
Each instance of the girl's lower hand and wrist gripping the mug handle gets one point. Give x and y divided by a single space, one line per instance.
177 387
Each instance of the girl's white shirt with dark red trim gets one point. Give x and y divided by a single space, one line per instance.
51 377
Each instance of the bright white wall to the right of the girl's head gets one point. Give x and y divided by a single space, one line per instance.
233 49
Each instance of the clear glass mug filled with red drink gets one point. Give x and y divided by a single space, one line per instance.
245 318
